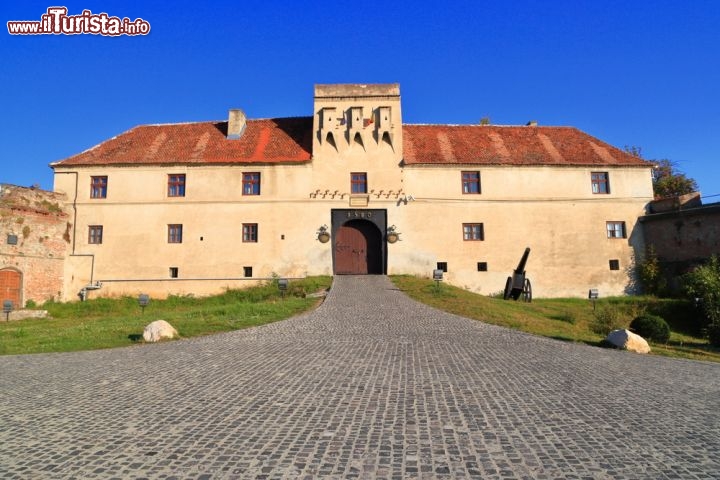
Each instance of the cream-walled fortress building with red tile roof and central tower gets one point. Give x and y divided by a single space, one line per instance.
195 208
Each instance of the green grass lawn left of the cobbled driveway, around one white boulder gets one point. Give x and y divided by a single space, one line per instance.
110 323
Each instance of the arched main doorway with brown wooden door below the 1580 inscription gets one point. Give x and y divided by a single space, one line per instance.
358 248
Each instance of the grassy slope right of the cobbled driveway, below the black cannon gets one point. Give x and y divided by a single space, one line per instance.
567 319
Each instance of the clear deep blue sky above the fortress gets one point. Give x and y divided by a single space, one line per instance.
628 72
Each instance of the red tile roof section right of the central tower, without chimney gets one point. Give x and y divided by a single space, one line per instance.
505 145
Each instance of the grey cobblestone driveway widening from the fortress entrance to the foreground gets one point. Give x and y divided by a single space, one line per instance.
370 385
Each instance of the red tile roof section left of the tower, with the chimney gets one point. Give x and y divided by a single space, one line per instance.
279 140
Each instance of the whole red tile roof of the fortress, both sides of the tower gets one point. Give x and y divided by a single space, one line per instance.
289 140
